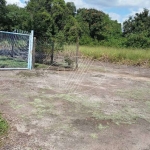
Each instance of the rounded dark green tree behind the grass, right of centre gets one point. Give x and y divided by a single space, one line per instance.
97 26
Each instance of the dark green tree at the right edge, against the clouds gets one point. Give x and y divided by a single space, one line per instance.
137 30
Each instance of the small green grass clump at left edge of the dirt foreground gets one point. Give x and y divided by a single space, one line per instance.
3 126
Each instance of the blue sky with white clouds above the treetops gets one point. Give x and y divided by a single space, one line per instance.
119 10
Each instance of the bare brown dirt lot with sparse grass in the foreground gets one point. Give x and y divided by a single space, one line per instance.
100 106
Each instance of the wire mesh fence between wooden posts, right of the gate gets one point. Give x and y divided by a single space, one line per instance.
54 53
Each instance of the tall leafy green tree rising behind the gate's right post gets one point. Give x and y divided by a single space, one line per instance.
48 17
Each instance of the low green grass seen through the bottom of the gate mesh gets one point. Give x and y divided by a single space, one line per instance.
7 62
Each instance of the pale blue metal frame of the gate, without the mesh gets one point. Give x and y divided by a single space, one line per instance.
30 49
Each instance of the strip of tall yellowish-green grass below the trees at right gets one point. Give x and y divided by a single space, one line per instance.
117 55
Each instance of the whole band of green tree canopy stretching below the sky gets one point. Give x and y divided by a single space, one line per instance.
60 20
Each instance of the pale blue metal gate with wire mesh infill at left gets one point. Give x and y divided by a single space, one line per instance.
16 50
